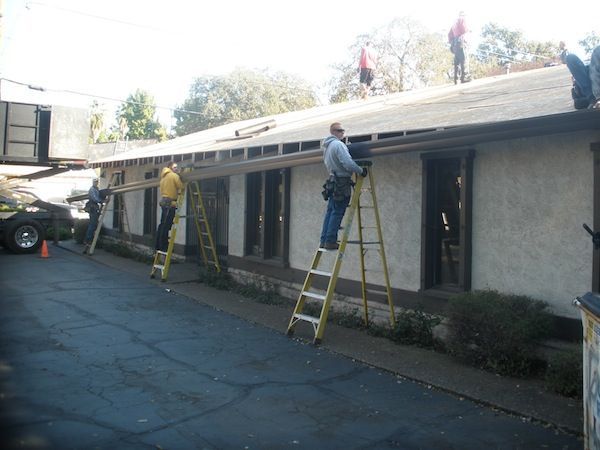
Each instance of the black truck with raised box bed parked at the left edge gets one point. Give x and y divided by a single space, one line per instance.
45 140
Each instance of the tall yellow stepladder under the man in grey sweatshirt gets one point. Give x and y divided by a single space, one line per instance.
362 209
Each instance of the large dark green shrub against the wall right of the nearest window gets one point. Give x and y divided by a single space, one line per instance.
498 332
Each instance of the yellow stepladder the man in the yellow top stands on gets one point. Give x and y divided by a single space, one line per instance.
162 260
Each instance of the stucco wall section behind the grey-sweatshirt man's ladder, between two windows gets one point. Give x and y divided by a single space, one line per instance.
398 191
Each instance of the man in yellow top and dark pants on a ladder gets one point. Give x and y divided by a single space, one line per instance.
170 187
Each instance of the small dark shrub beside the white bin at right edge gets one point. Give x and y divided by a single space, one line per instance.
564 374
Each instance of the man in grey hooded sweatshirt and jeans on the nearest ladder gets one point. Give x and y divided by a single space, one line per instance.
338 187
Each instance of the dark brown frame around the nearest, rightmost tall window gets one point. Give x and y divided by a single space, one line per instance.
428 263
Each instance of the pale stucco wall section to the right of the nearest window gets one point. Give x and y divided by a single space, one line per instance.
531 197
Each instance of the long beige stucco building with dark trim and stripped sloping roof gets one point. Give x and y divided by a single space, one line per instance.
480 186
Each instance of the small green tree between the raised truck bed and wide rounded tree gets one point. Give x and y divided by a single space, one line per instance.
136 117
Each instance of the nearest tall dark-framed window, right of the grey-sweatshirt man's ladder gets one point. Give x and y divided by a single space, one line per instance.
446 222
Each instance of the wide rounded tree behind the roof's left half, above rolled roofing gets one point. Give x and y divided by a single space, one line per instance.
242 94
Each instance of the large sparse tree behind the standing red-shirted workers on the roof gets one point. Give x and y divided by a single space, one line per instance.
407 57
